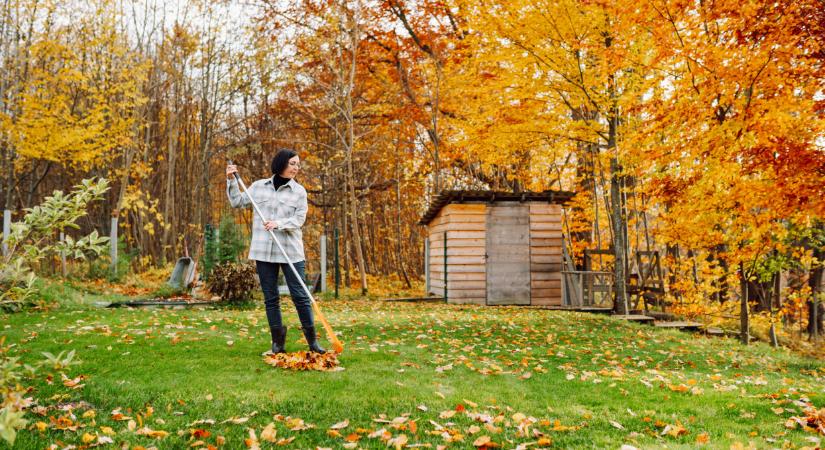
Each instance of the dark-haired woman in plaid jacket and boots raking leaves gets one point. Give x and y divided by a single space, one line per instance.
283 203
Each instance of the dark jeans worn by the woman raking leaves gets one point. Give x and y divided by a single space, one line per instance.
268 274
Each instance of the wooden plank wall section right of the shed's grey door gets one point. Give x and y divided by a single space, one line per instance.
545 254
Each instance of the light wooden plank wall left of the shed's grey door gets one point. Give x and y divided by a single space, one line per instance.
465 225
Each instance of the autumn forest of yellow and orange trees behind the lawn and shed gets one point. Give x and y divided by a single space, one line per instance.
690 127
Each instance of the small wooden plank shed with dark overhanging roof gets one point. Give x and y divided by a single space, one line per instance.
495 248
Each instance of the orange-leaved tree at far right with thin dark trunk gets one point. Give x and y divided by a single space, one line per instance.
715 137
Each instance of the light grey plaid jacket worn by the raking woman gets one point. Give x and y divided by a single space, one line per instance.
287 205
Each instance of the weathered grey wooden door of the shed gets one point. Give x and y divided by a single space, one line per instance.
508 254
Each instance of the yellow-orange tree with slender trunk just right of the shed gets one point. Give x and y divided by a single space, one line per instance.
549 77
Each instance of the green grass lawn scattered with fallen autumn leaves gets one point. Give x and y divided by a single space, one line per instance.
427 374
